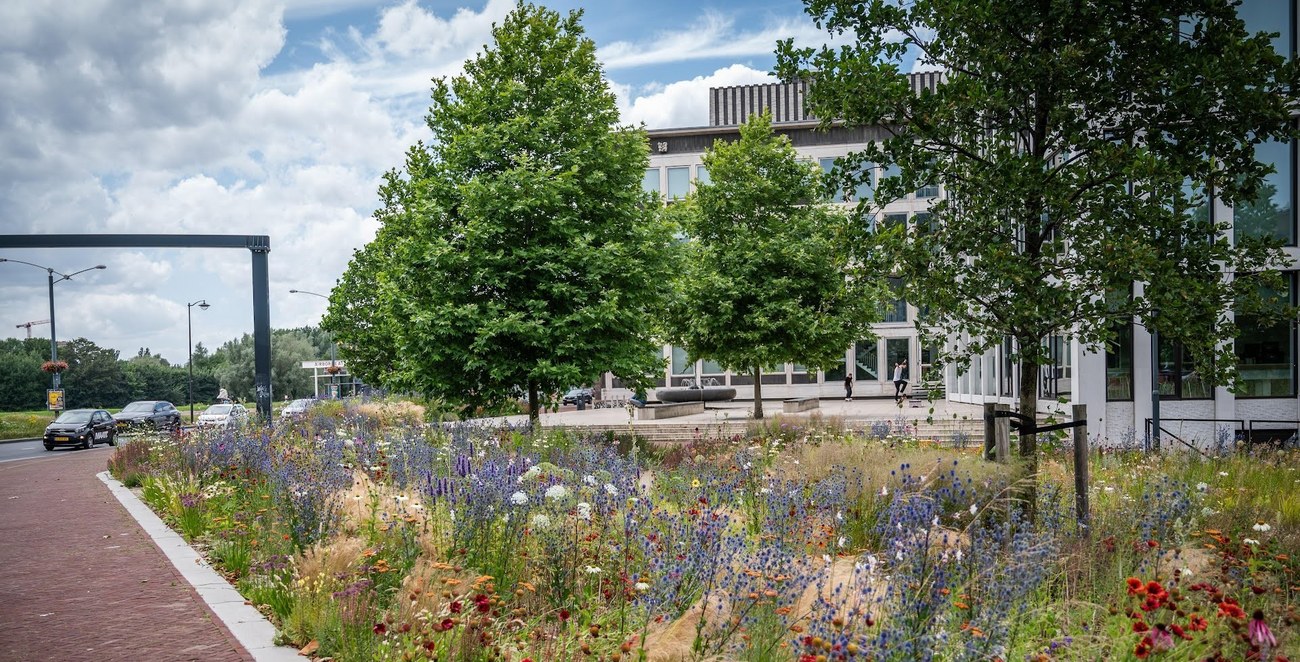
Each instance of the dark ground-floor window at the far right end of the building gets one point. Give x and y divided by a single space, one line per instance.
1267 352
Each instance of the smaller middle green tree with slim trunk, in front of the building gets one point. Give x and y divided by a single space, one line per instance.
768 279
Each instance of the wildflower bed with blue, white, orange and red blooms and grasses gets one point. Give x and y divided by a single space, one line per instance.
401 542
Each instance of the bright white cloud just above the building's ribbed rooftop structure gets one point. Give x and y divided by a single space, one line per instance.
684 103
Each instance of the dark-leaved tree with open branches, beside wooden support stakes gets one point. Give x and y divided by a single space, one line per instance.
1076 144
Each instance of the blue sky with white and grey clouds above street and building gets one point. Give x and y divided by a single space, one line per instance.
279 119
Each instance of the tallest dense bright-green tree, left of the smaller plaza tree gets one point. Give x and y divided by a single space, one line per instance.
527 257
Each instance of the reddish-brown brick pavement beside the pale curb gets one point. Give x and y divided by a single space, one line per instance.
81 581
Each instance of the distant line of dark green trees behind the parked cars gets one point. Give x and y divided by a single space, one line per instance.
101 378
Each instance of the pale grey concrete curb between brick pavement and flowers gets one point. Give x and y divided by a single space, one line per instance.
255 634
